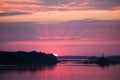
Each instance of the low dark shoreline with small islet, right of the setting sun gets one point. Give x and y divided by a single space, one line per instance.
89 60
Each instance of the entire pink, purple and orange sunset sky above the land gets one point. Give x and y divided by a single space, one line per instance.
65 27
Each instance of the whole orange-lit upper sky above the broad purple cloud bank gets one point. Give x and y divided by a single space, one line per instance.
45 11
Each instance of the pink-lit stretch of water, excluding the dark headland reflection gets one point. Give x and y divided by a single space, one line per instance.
67 72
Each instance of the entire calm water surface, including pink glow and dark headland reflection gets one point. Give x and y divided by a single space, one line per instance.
61 71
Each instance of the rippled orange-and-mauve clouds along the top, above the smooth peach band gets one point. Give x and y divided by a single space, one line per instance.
51 5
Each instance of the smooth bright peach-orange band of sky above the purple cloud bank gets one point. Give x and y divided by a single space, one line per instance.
57 16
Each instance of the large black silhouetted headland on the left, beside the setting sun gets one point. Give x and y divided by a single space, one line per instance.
21 58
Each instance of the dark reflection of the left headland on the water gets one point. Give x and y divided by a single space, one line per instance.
26 68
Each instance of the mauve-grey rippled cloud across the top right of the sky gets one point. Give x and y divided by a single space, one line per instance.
93 4
